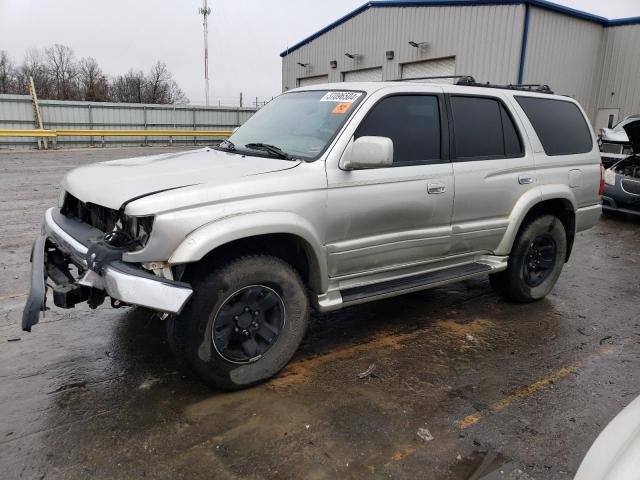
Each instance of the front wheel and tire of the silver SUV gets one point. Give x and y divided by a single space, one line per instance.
208 336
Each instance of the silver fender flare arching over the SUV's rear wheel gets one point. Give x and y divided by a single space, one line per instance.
523 206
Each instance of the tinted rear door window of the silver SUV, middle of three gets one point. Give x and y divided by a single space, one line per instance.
483 129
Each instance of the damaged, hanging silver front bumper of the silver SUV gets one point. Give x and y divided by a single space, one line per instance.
119 280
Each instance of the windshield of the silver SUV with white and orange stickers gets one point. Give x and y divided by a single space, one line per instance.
299 124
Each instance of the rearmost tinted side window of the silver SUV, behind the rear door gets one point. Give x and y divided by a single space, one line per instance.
560 125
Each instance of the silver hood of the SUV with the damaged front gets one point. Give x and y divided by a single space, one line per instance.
113 183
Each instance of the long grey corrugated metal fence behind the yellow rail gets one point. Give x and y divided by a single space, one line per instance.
16 113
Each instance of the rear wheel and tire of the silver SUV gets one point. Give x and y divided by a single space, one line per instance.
536 261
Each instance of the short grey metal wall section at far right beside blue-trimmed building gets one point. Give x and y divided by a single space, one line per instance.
620 84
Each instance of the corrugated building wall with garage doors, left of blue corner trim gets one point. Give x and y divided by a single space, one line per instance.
484 39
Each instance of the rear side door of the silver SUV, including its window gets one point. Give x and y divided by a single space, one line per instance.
492 168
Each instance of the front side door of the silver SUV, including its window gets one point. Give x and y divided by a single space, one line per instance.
387 217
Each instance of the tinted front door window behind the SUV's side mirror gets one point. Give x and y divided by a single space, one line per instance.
412 122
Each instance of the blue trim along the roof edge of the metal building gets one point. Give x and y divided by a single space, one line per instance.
449 3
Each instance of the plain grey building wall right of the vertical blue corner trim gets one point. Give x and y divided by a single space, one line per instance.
565 53
